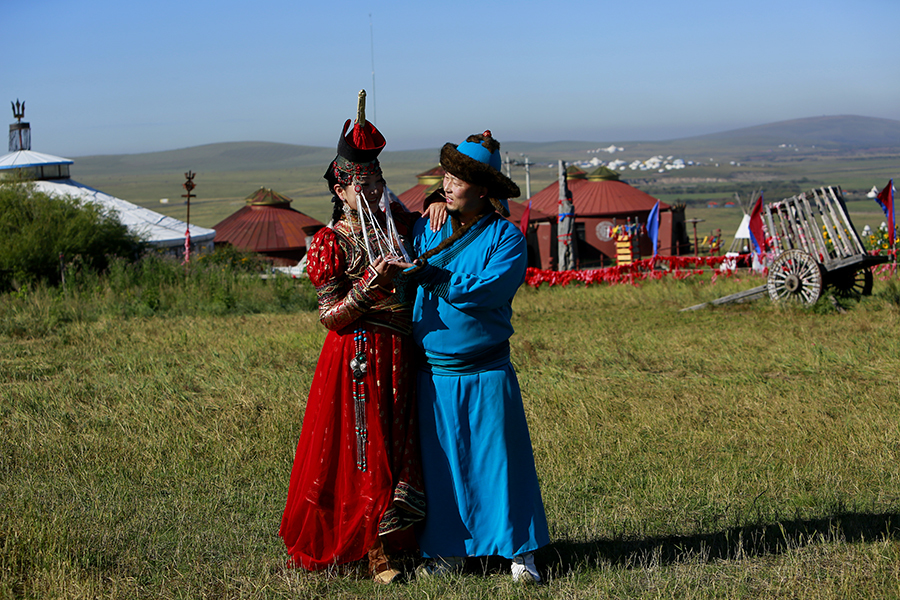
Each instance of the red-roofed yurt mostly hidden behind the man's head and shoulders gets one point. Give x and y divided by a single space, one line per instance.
541 232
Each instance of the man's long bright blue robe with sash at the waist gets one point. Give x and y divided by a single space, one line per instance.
481 487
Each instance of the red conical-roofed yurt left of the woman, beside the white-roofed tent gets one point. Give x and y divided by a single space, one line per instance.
268 225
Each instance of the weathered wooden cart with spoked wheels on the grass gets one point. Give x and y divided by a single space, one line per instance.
817 247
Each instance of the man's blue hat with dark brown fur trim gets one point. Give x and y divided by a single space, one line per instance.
477 161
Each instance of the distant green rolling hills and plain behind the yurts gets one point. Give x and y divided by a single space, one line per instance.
851 151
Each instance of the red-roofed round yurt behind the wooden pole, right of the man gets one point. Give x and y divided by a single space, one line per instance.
601 202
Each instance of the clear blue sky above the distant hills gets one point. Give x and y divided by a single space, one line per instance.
113 76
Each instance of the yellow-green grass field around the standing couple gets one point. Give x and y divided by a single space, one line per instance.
746 451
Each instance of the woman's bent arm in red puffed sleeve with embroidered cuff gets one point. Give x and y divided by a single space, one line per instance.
342 299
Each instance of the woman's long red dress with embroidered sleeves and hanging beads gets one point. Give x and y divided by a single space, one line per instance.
357 469
